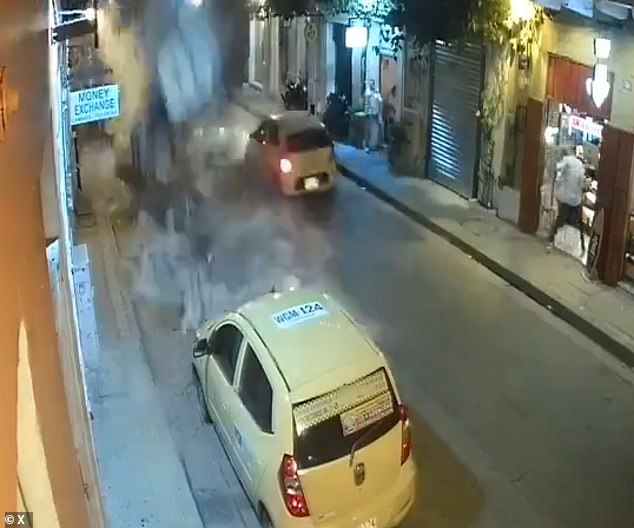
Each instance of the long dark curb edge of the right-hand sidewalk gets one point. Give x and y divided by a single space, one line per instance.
613 346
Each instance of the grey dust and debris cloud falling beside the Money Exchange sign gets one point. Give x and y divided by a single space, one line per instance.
204 240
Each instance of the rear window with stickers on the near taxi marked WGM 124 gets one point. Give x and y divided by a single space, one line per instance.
327 427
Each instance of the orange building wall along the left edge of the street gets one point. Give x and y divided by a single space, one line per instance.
46 454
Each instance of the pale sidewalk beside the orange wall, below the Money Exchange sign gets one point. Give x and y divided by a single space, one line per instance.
143 481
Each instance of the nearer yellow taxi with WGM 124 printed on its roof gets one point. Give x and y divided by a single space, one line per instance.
309 414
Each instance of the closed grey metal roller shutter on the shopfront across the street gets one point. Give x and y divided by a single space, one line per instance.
457 85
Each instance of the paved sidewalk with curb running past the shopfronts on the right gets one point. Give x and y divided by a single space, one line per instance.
551 278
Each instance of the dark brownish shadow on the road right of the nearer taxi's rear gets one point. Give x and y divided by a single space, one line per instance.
448 495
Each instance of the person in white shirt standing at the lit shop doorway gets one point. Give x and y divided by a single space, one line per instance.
569 184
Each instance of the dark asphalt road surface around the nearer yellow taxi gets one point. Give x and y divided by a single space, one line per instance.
519 420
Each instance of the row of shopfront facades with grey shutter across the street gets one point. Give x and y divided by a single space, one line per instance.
440 94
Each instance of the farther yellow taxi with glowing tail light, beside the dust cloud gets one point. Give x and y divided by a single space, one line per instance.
295 150
